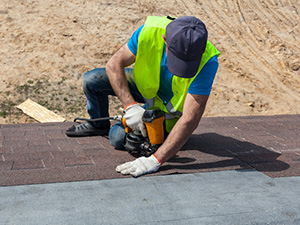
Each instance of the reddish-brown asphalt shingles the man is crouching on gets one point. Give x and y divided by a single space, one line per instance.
42 153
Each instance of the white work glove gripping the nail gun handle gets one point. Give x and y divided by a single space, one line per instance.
133 116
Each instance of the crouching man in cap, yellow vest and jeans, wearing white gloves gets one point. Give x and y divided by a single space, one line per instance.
175 66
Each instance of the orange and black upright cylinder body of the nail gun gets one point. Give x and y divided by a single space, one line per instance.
153 119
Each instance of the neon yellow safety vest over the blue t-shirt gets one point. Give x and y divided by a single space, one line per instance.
146 72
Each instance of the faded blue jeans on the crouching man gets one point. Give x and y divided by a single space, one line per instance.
96 87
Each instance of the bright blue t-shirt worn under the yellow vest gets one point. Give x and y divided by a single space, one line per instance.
201 85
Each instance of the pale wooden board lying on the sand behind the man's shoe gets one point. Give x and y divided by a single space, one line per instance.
39 112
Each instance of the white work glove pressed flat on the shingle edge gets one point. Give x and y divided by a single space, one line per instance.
139 166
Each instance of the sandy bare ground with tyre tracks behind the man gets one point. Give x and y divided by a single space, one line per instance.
46 46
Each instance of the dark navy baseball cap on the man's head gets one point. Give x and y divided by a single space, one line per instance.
186 39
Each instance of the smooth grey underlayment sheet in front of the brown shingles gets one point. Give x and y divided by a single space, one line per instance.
227 197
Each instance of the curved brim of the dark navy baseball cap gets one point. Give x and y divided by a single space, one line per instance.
181 68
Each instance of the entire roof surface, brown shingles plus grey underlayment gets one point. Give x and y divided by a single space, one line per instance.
233 170
